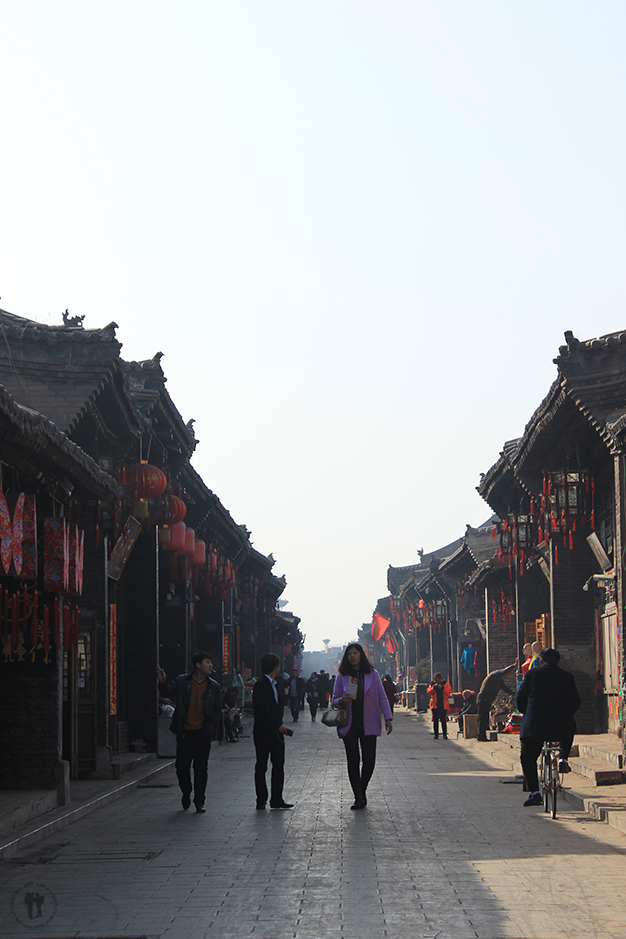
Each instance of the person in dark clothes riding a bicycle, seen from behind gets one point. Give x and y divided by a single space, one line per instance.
548 699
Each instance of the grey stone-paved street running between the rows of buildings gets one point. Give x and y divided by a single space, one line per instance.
444 849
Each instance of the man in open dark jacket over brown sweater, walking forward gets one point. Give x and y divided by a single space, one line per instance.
197 698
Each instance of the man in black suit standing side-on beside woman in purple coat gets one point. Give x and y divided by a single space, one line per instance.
269 734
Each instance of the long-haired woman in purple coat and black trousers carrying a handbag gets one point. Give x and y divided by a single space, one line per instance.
359 689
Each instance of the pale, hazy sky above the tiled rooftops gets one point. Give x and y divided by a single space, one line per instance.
357 231
